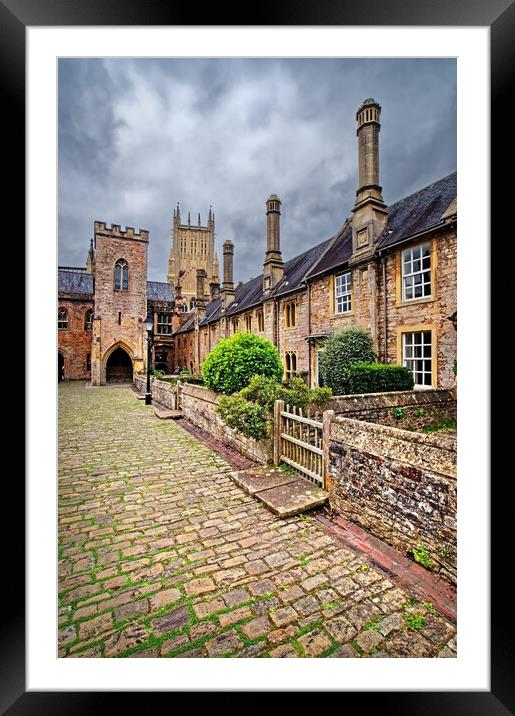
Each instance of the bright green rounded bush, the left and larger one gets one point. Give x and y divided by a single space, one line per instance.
231 364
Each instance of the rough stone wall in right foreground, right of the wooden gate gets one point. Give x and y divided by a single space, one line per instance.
398 485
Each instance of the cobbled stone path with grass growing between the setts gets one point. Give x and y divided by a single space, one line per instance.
161 554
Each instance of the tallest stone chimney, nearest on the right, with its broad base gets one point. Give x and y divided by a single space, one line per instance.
369 213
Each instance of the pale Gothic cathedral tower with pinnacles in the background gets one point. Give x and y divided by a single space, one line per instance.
193 247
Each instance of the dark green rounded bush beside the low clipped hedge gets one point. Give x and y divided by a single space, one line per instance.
341 351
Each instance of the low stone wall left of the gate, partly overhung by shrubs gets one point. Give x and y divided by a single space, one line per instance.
199 407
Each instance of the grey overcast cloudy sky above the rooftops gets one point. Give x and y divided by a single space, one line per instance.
138 136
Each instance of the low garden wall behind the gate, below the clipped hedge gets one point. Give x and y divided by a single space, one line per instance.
419 407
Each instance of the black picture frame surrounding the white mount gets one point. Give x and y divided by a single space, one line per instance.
499 16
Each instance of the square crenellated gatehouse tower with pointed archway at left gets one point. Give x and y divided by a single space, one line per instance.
120 271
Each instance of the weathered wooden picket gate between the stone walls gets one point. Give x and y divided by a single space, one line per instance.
298 441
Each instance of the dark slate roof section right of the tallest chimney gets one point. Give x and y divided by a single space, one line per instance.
420 211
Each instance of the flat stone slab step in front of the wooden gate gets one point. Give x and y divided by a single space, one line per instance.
283 493
